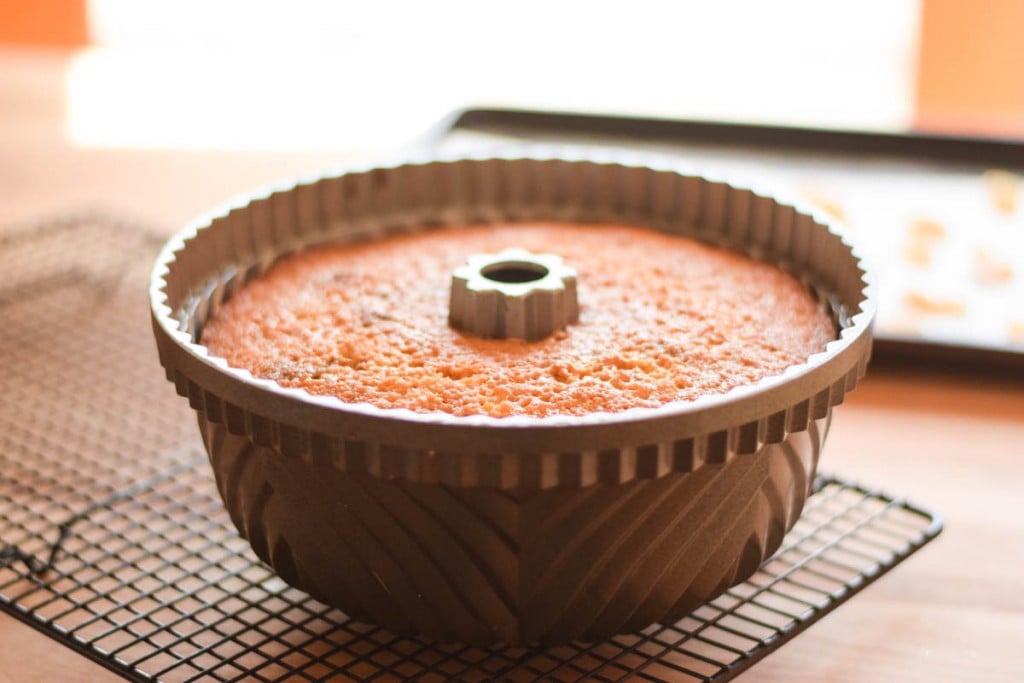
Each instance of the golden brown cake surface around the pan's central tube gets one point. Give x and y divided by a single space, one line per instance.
662 319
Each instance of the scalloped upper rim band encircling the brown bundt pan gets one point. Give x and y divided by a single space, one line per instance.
741 419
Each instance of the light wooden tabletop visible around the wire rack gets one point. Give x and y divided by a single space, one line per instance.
951 442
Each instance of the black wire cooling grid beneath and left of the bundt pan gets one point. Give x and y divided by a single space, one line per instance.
114 541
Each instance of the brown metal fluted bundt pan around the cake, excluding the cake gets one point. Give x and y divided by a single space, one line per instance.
510 530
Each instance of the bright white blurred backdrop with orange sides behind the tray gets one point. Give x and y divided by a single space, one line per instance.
315 75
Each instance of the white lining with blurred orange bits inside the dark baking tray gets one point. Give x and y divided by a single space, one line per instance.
948 240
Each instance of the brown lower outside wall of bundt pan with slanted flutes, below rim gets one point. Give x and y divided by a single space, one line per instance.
523 566
